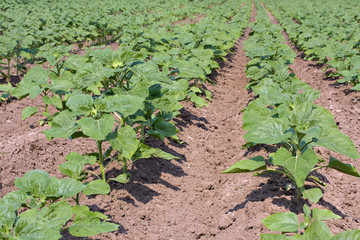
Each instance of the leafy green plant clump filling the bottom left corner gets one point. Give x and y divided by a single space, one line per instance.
40 209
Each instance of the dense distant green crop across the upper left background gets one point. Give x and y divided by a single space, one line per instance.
27 34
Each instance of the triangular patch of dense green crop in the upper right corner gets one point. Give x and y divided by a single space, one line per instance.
327 32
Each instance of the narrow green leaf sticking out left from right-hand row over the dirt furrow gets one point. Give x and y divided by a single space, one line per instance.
248 165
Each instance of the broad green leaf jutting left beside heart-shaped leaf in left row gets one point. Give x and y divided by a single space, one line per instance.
63 126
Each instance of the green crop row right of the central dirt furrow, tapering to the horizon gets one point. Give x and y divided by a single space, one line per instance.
284 115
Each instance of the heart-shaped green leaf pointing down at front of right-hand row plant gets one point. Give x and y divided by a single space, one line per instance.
298 166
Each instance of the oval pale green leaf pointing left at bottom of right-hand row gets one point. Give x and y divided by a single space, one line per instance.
282 222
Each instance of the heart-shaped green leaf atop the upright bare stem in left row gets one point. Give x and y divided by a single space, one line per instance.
97 129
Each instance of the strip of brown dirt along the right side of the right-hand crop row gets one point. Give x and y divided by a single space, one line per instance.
342 193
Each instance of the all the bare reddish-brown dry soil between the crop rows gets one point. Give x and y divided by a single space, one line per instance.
189 198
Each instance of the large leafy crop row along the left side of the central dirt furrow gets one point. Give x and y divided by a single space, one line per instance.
118 99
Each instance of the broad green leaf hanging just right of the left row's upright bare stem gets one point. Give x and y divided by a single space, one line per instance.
125 141
